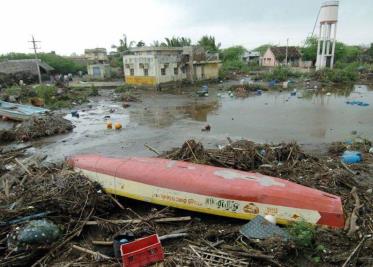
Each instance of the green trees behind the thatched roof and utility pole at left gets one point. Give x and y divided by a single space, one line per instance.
60 64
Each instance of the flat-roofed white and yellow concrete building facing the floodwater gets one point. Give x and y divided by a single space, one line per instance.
154 66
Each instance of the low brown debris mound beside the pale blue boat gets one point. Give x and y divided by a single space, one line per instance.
36 127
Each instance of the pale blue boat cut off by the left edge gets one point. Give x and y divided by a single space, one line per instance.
19 112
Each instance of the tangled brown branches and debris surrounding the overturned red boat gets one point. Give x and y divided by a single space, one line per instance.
90 219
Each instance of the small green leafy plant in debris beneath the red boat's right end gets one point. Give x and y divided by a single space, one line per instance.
302 233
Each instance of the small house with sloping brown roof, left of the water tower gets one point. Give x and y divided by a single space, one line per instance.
277 56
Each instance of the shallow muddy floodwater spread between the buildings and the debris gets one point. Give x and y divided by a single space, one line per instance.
165 120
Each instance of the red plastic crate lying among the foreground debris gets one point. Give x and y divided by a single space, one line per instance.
142 252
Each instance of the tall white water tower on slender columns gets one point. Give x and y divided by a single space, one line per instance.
327 36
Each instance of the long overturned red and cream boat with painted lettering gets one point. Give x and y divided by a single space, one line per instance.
208 189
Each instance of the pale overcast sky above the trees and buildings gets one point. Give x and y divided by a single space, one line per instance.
68 26
